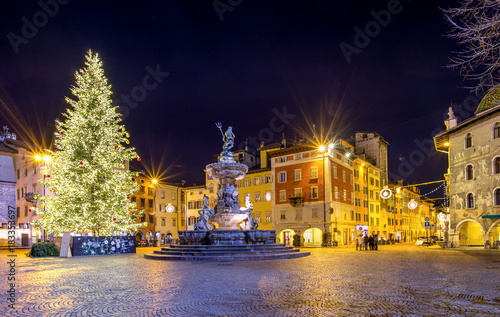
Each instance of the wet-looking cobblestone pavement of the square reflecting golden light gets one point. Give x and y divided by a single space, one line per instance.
397 280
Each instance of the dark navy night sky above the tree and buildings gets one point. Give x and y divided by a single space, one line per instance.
263 67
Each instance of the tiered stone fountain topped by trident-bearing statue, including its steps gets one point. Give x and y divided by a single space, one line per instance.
226 232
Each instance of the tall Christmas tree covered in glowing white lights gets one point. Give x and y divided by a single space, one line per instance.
88 176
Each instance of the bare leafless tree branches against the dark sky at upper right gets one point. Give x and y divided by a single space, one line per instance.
476 27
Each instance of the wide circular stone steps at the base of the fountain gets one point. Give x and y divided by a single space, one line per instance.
226 253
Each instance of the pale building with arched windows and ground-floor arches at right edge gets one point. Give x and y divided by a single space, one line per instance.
473 148
